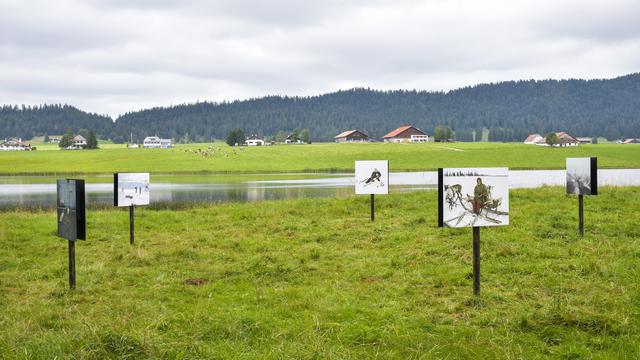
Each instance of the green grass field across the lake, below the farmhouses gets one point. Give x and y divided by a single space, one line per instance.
311 158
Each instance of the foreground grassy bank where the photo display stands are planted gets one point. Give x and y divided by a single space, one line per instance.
315 279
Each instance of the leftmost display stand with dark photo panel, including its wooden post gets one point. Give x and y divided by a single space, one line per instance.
71 218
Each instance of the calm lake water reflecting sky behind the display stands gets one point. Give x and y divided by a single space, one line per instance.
41 190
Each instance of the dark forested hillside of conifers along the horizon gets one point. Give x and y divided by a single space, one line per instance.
510 110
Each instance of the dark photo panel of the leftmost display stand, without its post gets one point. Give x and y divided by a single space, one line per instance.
71 209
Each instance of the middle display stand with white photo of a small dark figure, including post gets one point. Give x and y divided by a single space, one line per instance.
372 177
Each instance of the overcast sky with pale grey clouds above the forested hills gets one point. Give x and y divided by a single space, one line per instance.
124 55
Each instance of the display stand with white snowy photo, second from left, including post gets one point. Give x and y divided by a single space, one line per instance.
129 190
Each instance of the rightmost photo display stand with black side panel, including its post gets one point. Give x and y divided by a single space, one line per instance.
582 179
